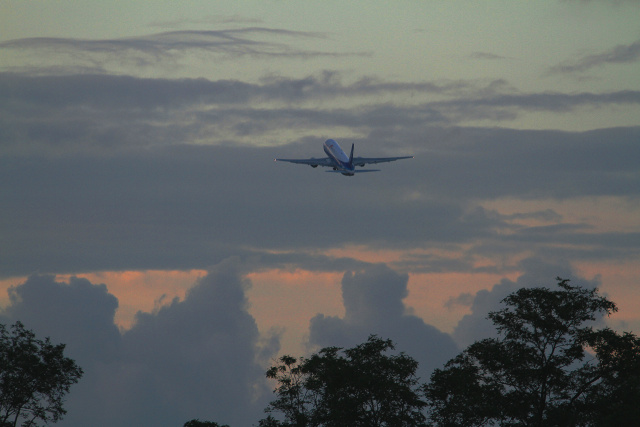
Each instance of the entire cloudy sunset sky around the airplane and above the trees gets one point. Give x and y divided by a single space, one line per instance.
144 223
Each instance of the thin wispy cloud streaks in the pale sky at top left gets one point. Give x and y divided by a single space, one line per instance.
165 48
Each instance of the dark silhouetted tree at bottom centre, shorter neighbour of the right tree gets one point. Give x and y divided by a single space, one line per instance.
361 386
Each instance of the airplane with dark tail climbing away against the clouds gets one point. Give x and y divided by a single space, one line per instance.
340 162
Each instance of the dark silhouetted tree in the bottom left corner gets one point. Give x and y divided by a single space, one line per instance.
34 378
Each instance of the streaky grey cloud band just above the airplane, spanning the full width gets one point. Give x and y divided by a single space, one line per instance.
104 114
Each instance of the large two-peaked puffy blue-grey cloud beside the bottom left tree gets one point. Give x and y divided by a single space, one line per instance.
198 358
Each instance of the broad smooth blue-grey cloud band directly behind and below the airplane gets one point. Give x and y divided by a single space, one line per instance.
191 206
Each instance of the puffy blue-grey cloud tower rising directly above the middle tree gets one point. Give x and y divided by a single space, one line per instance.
373 305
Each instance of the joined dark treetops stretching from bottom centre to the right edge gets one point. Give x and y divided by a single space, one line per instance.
548 366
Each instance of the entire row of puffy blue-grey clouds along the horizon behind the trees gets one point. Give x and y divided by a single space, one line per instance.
203 356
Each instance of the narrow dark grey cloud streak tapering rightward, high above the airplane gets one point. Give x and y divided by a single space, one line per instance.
127 93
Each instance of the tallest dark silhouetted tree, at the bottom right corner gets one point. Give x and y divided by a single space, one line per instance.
548 366
